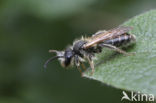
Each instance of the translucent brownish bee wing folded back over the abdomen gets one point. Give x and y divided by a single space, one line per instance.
100 37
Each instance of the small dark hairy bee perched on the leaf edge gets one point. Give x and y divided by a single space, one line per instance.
86 48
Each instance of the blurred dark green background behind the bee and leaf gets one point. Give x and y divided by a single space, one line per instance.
29 28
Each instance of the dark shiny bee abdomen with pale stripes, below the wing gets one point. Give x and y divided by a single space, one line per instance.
121 40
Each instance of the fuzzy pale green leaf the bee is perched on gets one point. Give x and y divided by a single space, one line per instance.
132 73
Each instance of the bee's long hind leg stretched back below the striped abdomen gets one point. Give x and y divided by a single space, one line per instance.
116 49
